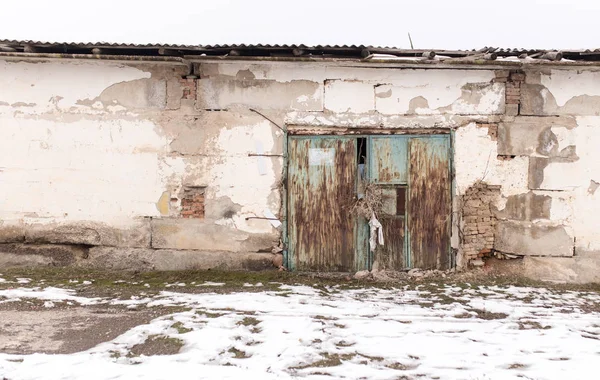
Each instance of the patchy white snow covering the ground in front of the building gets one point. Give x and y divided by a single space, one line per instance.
434 332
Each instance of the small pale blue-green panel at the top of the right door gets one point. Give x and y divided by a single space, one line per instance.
388 159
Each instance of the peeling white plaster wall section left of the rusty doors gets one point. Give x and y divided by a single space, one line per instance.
99 154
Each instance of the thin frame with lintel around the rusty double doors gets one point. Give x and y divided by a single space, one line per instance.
290 132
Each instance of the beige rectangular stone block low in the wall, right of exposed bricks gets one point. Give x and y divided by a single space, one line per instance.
533 239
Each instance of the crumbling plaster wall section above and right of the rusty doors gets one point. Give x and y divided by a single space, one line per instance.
528 135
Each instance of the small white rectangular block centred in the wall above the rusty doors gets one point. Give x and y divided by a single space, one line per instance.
349 96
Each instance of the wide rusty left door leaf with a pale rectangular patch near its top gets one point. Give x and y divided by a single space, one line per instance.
321 188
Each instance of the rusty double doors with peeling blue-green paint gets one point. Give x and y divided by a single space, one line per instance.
326 176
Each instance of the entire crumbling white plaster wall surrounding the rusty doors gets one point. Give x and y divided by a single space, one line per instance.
129 139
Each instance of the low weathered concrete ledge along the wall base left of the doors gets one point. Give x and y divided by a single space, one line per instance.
138 259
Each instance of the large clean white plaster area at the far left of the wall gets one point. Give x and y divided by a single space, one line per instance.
60 162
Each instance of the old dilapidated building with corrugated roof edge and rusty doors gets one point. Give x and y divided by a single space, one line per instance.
173 157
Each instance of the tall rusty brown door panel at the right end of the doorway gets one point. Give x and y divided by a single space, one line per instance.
429 202
